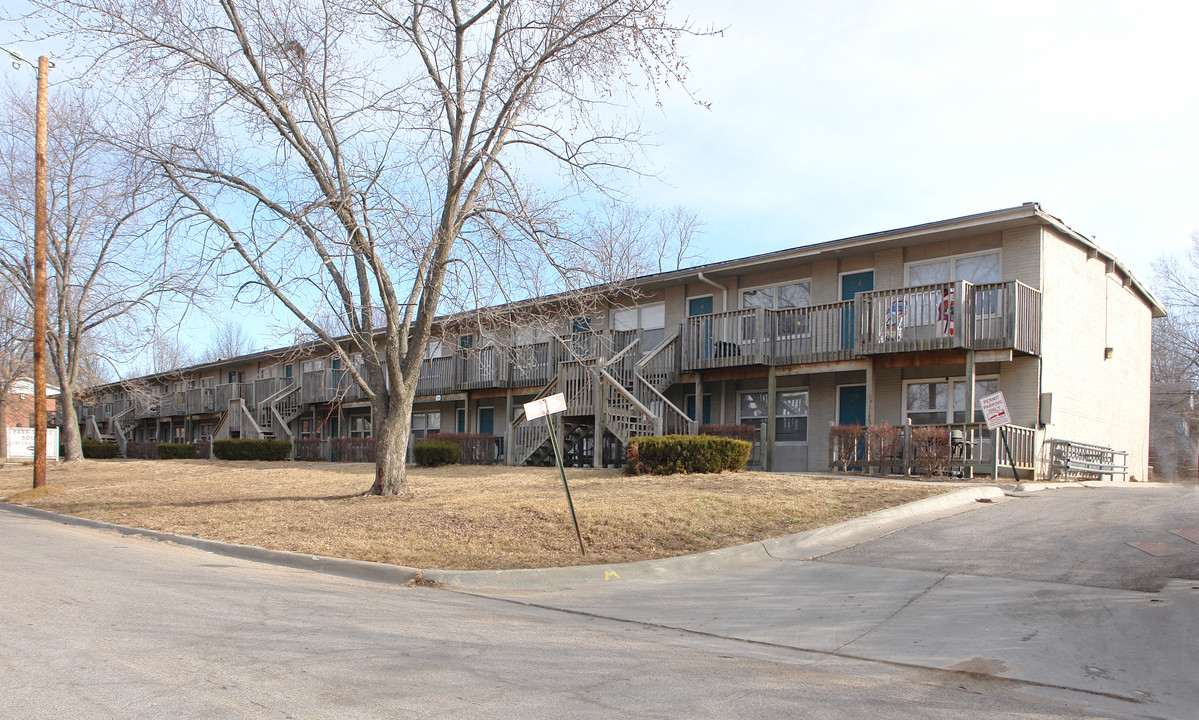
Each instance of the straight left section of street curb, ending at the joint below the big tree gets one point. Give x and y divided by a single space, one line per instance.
358 570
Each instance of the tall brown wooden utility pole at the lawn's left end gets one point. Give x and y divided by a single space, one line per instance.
40 221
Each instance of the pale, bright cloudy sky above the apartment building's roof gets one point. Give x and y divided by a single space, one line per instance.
829 120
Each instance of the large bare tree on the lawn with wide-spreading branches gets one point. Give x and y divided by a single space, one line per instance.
363 159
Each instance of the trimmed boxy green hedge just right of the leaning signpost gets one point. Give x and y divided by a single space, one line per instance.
685 453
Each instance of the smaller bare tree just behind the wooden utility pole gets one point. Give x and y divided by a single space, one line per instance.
106 267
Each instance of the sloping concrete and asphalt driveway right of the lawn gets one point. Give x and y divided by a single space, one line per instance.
1044 589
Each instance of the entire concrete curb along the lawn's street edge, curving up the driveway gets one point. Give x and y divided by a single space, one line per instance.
804 546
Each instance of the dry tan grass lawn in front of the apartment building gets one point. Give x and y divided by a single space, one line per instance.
459 517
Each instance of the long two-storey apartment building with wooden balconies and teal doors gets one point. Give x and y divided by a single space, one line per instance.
909 326
